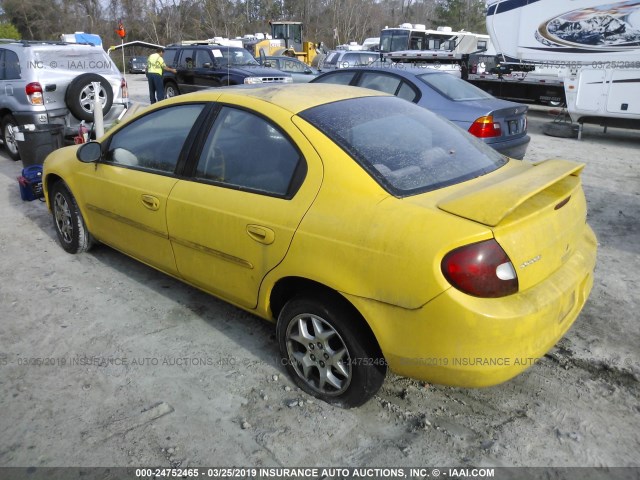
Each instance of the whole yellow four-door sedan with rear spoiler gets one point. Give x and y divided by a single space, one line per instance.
372 232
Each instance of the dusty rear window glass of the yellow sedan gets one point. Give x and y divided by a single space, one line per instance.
406 148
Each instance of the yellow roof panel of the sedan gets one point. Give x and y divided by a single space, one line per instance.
292 97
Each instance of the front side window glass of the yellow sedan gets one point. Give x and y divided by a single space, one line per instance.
154 142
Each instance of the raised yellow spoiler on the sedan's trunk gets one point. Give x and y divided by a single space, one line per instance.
490 204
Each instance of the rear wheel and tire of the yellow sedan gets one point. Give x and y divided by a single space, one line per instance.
329 351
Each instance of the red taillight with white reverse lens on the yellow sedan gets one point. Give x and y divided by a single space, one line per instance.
481 269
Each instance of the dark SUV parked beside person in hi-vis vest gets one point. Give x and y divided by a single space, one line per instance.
202 66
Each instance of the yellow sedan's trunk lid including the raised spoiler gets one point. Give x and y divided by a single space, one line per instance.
537 213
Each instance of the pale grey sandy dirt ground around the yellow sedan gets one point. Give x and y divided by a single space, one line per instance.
137 369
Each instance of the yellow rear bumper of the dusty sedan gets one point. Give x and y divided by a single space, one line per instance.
460 340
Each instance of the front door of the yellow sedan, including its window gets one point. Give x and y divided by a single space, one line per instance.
126 194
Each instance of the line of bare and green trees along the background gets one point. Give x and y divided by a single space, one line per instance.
167 21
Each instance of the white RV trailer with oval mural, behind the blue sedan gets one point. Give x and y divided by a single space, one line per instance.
594 45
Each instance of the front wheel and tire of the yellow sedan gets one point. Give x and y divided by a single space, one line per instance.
70 226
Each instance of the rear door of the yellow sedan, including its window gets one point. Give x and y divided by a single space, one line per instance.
234 220
